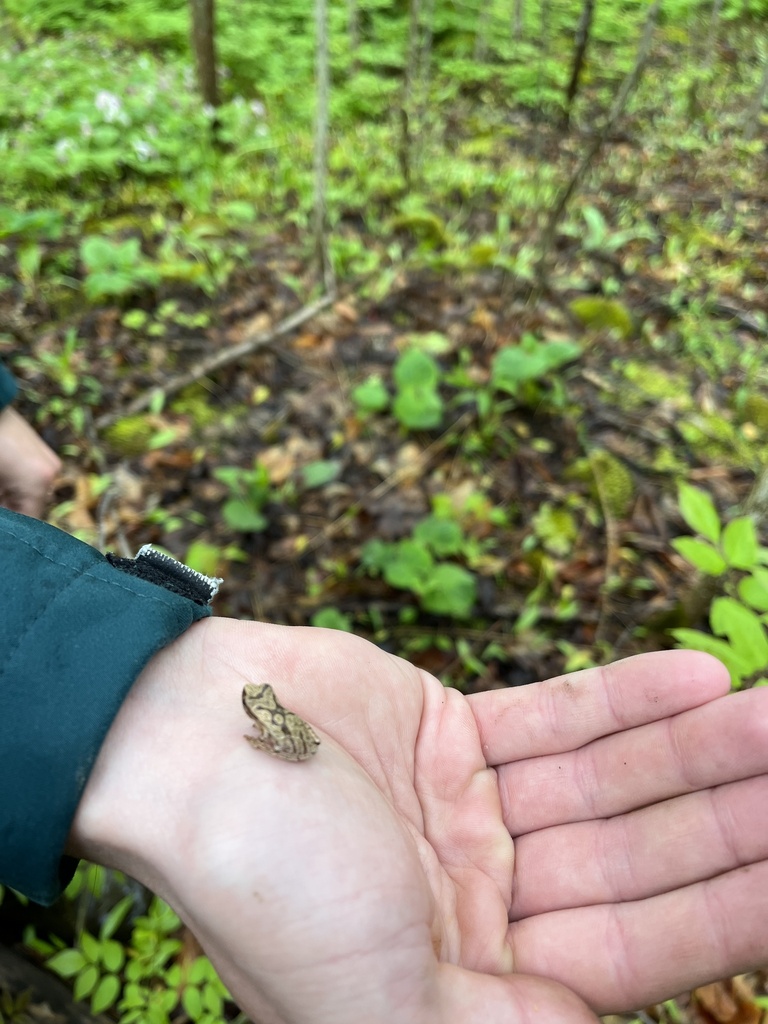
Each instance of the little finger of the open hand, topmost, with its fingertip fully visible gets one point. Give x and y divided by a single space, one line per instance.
566 713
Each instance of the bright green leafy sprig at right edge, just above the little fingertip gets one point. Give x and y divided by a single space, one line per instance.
739 617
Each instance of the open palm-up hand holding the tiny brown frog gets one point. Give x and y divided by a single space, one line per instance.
396 877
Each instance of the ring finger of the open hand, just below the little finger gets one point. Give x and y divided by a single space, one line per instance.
722 742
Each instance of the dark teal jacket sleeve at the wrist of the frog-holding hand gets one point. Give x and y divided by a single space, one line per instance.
75 633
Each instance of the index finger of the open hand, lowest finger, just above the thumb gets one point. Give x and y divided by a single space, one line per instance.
625 956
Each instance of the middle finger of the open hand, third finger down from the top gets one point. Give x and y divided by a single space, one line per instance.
651 851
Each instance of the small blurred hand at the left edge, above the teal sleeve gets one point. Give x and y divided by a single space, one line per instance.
28 466
